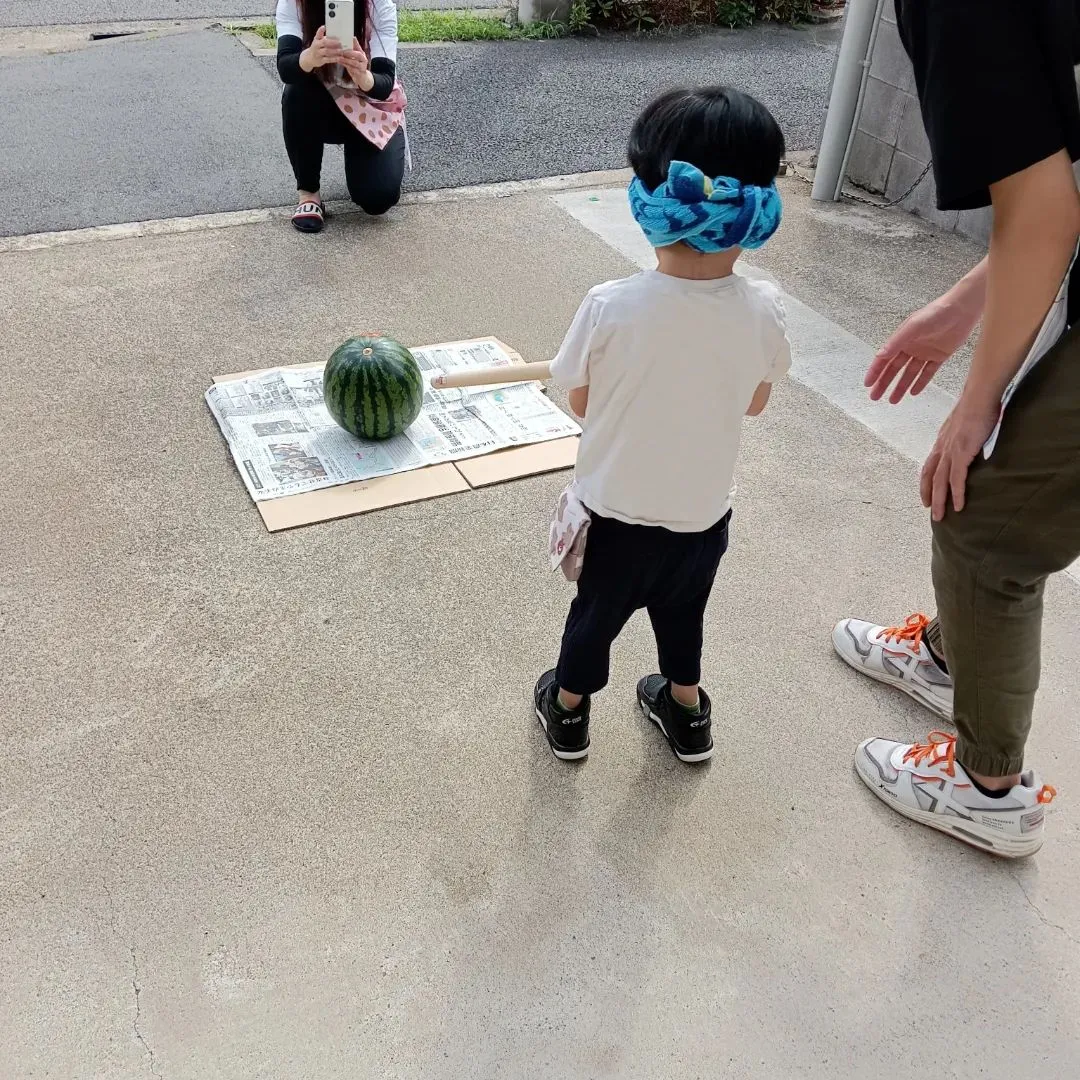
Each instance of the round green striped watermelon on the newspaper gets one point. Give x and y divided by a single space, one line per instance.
373 387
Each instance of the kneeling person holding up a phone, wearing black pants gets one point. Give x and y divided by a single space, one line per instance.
350 98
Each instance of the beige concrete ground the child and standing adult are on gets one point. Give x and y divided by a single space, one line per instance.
277 806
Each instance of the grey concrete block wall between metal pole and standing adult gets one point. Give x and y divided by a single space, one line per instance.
890 148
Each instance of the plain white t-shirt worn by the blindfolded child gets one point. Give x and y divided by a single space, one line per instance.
671 368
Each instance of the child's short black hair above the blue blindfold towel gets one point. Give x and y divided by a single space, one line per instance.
721 131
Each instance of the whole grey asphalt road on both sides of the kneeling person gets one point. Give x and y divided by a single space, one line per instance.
131 130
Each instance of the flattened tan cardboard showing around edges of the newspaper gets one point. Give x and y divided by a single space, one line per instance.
344 501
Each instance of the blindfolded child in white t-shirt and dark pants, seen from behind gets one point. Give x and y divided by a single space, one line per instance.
663 368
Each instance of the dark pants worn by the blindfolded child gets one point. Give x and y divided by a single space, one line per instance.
628 568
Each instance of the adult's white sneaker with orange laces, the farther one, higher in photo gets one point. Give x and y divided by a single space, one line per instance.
898 656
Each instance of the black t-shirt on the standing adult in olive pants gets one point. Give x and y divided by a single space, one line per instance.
997 88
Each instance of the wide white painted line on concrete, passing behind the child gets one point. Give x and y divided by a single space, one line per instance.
826 358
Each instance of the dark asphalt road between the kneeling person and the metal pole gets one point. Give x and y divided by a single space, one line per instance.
526 110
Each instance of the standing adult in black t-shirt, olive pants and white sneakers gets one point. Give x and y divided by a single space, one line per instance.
996 86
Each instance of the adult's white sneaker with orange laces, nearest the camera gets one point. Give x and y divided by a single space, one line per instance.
924 782
